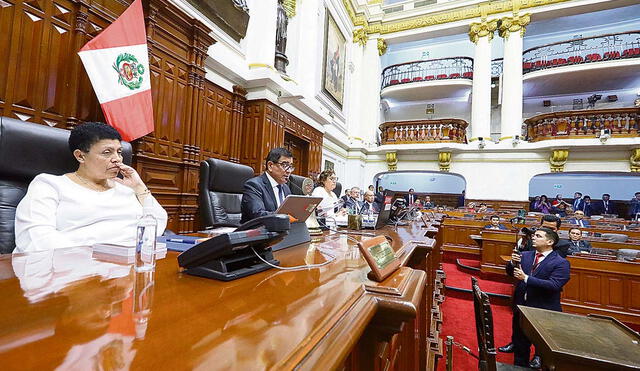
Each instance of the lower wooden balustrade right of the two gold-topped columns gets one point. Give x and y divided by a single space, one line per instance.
621 122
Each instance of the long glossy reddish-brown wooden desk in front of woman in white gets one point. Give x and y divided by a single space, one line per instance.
65 307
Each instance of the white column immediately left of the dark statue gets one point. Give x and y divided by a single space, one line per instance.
261 33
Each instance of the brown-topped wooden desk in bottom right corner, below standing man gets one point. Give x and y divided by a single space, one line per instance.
573 342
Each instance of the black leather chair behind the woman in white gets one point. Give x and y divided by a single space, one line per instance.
26 150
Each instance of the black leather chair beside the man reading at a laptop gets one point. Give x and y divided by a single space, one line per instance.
220 192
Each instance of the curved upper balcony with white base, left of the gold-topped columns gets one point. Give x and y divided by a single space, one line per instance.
406 81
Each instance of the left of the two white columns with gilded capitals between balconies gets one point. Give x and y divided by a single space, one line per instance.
481 35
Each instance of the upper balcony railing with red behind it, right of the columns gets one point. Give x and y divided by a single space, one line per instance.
583 50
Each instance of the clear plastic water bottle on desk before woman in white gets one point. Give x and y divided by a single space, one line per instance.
146 239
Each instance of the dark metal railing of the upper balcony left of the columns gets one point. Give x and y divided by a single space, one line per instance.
432 69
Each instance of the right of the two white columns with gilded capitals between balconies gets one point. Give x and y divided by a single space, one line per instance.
512 29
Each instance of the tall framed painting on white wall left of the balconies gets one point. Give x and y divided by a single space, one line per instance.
333 61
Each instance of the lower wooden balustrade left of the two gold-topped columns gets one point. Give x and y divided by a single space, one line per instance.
424 131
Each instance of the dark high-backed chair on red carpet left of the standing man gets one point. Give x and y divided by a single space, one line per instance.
484 332
